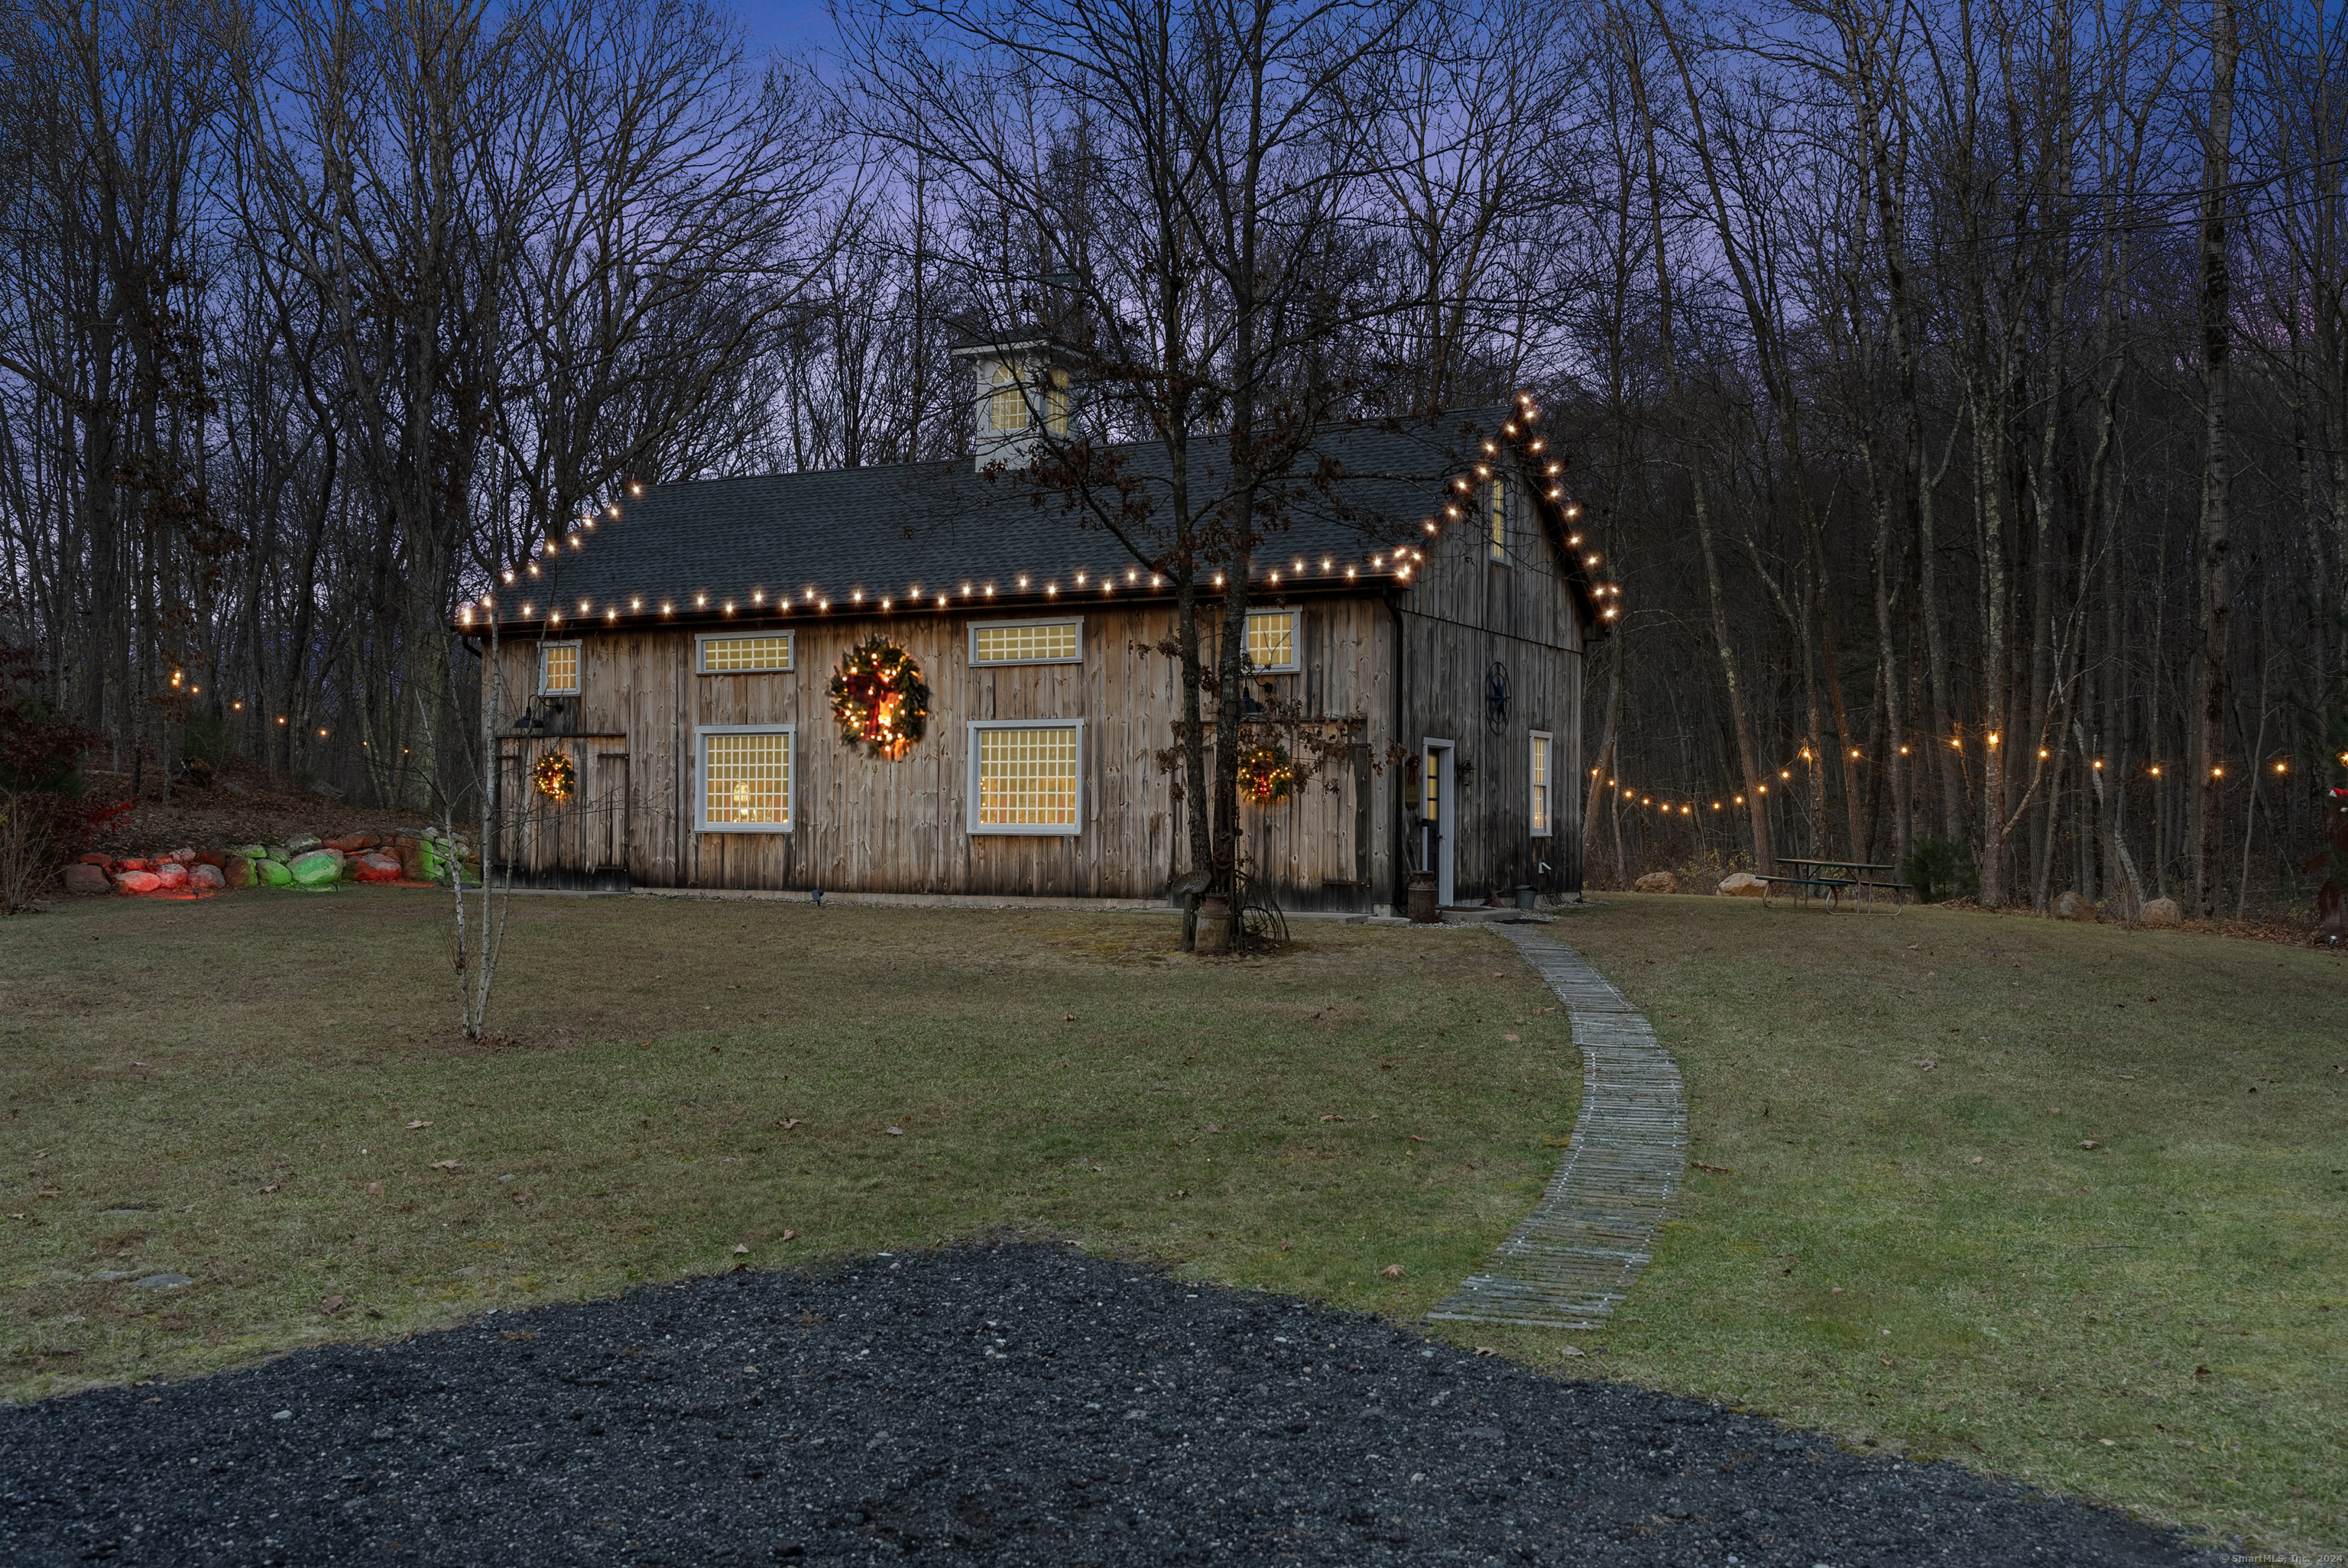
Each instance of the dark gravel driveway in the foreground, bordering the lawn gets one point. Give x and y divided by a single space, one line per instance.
992 1405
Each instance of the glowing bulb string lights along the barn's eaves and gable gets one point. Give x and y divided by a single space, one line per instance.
1398 562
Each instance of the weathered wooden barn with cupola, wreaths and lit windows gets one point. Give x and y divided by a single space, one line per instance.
663 680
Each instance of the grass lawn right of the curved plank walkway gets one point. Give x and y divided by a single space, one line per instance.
1929 1259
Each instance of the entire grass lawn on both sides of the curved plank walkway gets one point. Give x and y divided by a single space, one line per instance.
1915 1257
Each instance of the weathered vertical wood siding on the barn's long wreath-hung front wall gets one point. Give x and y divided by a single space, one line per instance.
865 825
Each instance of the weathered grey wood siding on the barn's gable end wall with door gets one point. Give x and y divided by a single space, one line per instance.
1466 616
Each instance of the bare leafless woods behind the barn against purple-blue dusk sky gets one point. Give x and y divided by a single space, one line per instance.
1959 391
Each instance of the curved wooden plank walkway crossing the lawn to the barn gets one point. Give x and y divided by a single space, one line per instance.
1579 1252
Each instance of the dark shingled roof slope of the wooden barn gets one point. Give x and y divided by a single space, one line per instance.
947 529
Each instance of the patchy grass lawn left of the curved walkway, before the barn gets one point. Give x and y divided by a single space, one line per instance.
238 1074
